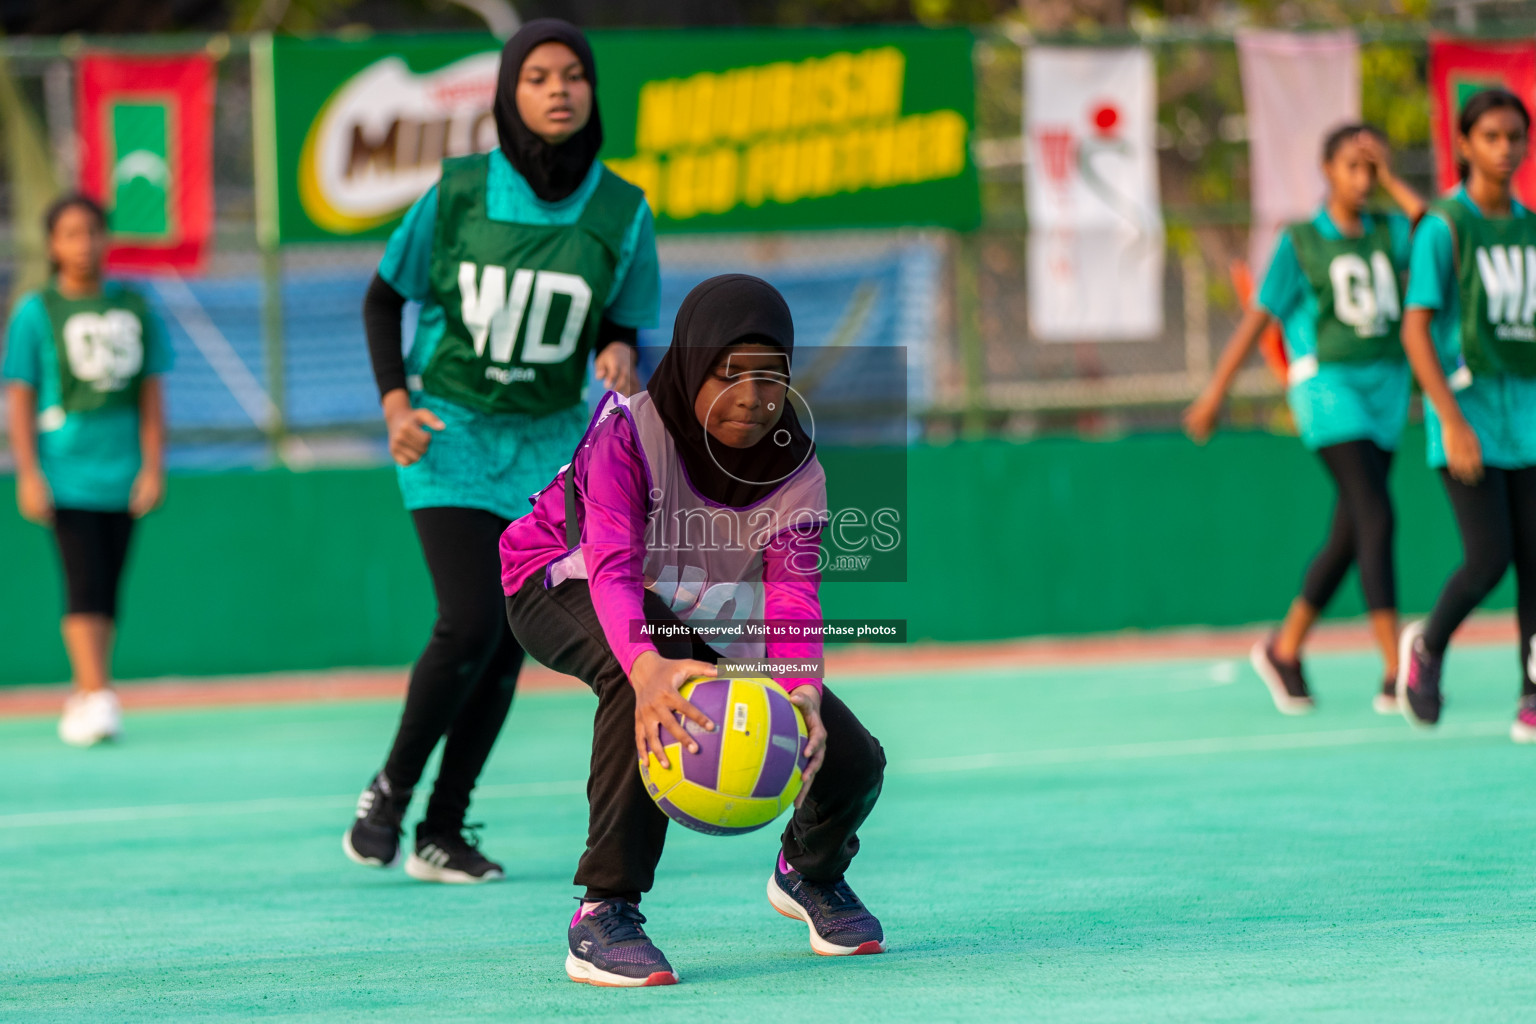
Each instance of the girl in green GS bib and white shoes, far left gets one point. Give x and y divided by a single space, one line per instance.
84 360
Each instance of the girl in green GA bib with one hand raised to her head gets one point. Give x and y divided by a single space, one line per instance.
1336 288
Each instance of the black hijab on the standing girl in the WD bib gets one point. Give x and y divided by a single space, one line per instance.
552 171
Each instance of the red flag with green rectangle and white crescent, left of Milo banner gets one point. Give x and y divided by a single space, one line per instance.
147 153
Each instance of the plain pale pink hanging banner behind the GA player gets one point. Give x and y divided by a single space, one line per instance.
1297 88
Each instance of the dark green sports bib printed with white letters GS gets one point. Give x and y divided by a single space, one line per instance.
101 345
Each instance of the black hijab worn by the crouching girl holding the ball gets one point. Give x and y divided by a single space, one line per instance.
723 311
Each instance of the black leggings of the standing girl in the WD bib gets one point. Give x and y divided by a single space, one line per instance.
462 685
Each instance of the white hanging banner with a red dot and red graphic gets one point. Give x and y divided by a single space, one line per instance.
1096 226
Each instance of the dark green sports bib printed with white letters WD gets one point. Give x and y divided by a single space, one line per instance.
521 303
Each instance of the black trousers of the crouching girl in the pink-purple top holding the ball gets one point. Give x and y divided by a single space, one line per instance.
626 828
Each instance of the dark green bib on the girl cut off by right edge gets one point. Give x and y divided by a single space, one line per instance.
1497 279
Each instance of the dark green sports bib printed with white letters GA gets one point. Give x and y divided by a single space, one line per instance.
1360 306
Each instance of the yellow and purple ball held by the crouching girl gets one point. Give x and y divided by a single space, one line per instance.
746 773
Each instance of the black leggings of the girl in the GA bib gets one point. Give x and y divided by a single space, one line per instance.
1363 526
